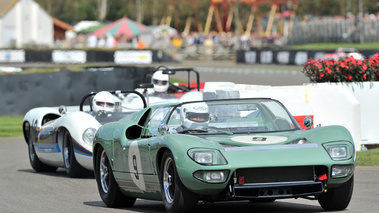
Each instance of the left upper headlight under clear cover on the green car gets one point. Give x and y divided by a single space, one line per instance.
207 157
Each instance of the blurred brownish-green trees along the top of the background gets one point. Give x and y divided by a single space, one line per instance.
153 11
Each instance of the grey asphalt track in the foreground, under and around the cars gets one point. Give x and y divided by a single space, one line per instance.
24 190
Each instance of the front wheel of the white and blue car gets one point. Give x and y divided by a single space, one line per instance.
73 168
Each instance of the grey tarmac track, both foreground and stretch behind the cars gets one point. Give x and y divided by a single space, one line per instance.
24 190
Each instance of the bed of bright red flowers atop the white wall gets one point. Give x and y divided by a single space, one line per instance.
344 70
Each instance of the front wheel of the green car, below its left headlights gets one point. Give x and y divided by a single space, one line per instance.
176 197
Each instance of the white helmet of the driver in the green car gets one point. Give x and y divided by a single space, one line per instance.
195 115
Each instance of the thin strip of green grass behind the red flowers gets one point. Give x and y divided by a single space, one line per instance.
334 46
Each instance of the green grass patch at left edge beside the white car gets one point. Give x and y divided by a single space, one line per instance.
11 126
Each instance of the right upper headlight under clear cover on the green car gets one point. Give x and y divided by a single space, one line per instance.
339 150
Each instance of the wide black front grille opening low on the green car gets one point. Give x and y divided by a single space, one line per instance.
277 182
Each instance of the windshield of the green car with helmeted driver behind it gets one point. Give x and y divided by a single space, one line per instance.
231 117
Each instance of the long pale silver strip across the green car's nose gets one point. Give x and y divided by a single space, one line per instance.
275 147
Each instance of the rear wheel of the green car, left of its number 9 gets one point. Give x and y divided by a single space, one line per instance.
108 188
